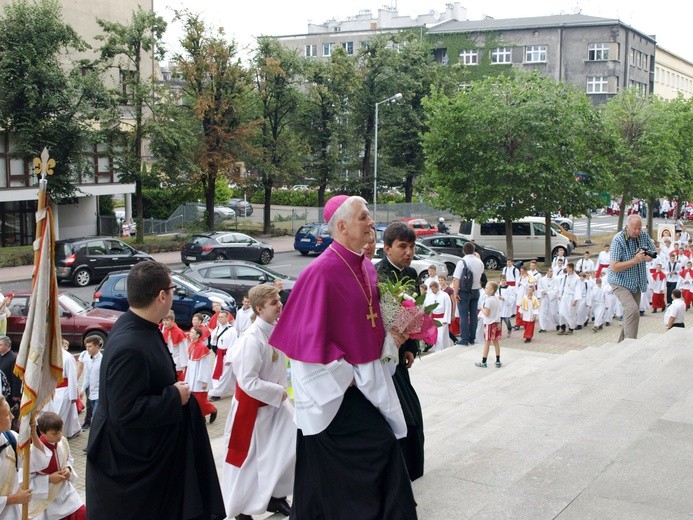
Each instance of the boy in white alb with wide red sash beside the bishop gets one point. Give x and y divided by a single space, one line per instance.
260 433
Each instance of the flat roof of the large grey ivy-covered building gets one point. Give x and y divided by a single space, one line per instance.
492 24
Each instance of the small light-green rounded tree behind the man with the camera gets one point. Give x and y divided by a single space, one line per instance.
643 157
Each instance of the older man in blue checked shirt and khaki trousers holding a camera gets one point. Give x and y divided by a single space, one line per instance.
631 249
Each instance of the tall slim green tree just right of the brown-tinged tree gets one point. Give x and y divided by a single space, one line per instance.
277 73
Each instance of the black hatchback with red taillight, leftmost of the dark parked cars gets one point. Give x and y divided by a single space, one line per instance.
86 260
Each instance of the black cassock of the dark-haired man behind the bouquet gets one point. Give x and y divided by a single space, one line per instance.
413 444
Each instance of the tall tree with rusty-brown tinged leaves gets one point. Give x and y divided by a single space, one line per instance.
218 87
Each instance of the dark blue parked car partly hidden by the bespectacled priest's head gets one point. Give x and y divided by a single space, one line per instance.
189 297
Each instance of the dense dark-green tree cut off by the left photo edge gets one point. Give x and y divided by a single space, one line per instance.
45 99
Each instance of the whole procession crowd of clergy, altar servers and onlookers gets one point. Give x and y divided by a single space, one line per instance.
352 440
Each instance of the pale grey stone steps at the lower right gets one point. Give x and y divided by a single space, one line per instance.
604 433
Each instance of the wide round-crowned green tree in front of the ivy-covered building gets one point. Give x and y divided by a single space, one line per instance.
508 147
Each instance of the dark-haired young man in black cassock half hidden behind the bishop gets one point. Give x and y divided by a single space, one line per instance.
399 241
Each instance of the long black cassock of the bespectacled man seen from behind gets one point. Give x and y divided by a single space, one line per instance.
147 456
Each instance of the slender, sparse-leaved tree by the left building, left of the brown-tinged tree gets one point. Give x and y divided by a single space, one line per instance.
125 47
